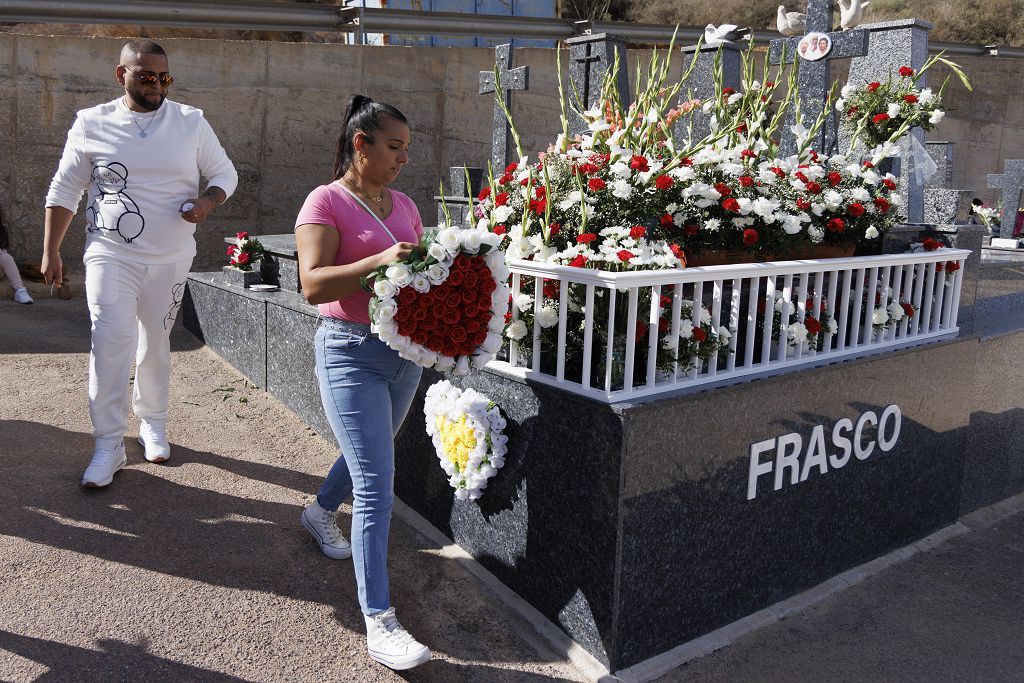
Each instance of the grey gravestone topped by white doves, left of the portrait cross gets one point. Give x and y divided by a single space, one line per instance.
702 84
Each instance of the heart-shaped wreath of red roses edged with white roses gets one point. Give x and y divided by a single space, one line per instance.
445 309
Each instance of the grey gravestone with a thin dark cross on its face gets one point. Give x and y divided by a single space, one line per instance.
590 59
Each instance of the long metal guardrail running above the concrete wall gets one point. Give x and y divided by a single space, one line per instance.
267 16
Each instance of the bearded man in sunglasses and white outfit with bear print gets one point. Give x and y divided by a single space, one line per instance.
141 158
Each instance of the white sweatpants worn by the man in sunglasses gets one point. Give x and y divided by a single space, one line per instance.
133 307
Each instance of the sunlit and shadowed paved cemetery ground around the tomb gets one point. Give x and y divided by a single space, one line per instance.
198 570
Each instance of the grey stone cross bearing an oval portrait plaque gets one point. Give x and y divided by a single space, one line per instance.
815 78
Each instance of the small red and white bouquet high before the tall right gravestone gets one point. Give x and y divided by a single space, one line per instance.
878 113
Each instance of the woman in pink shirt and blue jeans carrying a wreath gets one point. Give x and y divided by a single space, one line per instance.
346 231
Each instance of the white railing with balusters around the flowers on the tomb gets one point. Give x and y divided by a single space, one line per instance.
754 320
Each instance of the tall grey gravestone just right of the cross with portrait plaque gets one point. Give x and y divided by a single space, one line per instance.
895 45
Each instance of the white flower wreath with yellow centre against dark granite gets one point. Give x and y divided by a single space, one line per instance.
466 429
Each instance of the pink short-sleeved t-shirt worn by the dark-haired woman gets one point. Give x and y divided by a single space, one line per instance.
360 236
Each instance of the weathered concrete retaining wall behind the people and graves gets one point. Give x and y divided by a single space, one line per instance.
277 108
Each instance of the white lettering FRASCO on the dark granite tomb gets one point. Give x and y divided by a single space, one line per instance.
789 455
